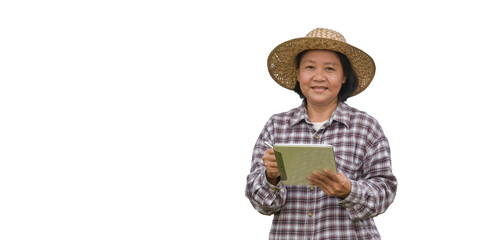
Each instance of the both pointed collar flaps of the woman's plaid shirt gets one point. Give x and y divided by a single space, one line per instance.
341 114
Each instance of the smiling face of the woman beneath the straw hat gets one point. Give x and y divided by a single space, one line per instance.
320 75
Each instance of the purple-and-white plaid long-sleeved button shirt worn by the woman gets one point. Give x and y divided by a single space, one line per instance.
362 153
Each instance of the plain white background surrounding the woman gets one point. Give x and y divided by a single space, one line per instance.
137 119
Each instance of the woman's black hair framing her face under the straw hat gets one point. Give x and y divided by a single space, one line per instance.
348 88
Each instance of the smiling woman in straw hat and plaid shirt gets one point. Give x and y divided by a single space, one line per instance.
325 71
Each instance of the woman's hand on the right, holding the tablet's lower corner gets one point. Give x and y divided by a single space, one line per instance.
333 184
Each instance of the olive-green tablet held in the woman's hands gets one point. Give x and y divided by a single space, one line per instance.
297 161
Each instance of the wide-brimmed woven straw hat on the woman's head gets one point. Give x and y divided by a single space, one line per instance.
282 66
